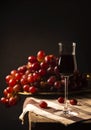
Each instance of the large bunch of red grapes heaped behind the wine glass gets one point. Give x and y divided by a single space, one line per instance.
39 74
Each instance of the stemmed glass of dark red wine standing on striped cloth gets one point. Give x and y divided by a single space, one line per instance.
67 65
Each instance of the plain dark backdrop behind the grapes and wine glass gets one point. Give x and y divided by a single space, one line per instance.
29 26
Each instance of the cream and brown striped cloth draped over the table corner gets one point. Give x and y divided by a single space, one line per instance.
79 112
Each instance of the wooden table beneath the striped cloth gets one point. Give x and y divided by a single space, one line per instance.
39 122
